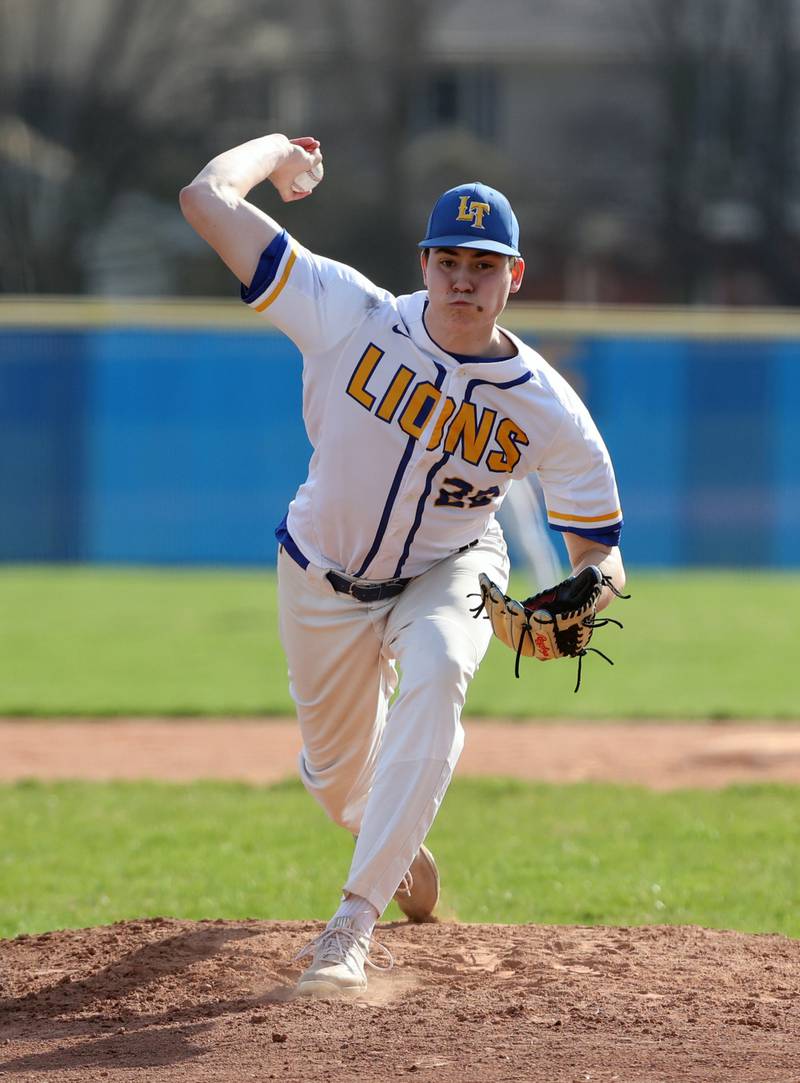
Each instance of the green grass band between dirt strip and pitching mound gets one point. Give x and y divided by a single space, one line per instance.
84 854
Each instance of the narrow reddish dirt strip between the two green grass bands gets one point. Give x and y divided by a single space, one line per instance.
660 755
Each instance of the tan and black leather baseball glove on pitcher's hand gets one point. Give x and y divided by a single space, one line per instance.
555 624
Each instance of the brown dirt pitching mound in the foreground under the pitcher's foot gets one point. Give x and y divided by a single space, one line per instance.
168 1000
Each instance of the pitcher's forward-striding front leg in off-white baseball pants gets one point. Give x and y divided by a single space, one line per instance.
439 647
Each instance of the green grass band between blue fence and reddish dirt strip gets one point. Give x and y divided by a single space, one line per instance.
103 642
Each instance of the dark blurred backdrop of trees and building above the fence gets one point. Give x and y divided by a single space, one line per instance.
649 146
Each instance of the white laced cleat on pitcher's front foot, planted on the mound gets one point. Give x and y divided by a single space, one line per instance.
340 955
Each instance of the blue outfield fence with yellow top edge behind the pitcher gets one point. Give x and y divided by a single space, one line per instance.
161 441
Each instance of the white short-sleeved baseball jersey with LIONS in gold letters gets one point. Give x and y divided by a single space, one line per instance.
414 448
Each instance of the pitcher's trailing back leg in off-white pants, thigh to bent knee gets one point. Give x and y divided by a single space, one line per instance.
342 684
